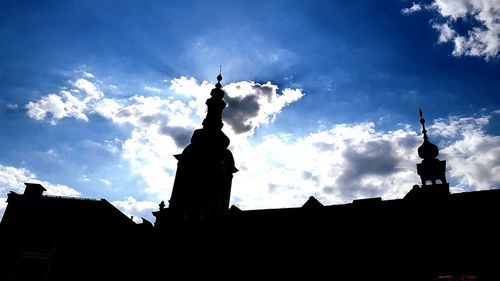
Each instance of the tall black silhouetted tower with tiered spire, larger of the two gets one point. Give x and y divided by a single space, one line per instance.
205 169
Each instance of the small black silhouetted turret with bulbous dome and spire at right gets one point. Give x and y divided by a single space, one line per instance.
431 170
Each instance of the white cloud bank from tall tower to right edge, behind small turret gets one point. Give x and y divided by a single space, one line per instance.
351 161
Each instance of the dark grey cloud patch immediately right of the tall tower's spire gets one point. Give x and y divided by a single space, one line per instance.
239 111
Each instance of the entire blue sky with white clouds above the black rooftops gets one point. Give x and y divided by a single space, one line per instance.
96 96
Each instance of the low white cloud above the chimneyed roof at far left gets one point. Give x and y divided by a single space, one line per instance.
13 179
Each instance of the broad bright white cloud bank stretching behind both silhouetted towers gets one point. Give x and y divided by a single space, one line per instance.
337 164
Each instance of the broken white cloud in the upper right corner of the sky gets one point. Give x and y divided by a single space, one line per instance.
482 39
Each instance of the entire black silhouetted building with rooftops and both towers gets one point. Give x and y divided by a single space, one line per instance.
430 234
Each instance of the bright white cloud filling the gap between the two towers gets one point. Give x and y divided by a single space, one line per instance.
337 165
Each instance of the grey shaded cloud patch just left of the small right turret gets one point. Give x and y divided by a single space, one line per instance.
375 158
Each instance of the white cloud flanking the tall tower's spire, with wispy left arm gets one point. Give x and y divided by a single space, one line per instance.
162 126
